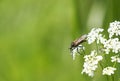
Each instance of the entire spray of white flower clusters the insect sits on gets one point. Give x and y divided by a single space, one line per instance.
108 46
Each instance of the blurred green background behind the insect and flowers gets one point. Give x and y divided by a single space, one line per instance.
35 36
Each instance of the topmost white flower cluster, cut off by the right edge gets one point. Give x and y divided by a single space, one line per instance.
114 29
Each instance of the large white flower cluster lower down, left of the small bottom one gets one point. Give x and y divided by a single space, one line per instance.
90 63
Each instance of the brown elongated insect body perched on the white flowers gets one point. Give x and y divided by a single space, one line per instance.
78 41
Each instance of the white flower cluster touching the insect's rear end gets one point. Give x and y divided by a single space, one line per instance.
95 35
